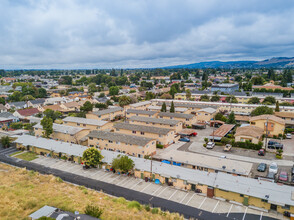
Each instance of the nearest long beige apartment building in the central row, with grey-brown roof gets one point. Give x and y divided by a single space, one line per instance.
128 144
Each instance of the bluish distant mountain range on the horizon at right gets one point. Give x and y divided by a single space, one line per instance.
275 62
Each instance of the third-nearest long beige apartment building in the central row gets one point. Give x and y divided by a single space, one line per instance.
157 122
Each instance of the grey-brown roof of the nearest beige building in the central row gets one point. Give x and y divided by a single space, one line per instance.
124 138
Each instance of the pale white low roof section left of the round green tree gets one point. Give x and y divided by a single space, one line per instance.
52 145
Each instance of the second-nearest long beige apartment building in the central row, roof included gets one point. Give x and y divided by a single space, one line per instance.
163 136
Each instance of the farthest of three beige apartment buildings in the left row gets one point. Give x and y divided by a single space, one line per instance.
107 114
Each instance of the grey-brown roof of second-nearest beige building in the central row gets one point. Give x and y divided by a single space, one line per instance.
142 128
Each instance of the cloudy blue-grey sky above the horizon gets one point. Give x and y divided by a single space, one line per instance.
69 34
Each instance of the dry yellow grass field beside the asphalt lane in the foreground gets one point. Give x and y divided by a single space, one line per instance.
23 192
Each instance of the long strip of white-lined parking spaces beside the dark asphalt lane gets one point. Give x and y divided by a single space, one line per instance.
189 198
